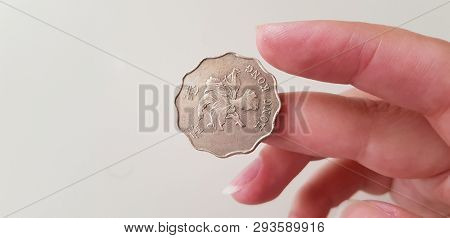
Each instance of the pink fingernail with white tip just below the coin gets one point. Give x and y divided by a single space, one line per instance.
245 177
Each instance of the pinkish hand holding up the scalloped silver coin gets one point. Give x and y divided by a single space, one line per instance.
389 135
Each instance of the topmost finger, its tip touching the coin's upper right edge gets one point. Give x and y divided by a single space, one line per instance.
404 68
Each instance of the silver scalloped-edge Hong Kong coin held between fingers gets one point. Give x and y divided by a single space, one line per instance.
227 105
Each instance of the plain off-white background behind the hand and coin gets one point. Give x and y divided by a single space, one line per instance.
68 110
